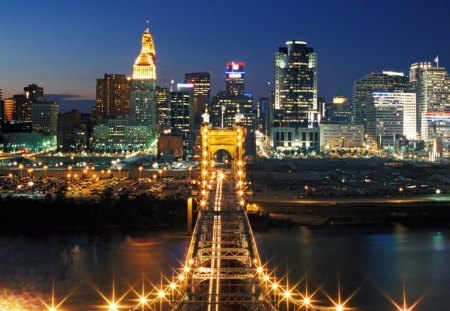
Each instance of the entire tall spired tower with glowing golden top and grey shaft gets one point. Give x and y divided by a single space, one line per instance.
143 103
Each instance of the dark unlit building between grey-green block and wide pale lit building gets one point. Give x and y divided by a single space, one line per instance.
68 123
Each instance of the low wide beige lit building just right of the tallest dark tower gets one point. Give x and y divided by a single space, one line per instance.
341 135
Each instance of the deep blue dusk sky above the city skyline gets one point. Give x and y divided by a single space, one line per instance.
65 45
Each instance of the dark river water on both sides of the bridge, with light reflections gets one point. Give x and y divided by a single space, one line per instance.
369 263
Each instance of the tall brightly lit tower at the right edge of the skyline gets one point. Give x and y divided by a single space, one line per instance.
433 99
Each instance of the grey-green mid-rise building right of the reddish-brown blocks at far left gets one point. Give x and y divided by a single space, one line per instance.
44 117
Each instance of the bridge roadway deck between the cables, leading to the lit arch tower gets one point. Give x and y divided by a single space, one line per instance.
222 259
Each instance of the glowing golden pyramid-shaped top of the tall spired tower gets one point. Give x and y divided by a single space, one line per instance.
144 67
